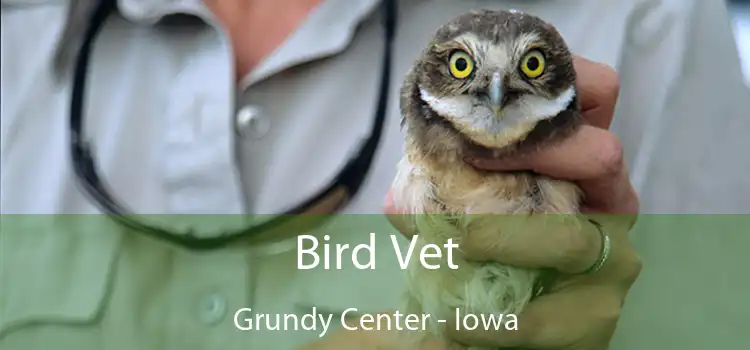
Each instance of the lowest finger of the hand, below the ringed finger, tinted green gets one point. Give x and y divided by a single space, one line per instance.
555 321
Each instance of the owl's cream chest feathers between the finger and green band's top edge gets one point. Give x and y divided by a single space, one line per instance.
450 186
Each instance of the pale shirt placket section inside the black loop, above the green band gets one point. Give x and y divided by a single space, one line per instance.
199 163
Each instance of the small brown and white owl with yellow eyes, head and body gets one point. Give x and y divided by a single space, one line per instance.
495 83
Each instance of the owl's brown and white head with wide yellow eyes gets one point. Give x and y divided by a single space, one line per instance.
495 77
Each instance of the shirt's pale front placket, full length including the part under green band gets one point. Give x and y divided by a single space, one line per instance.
198 167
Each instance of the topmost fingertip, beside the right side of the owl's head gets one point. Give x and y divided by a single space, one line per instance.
598 88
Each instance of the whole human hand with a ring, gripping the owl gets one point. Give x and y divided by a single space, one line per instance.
580 311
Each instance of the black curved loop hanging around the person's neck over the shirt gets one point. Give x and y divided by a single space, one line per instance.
297 220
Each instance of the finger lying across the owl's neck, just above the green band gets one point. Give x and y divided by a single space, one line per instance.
591 157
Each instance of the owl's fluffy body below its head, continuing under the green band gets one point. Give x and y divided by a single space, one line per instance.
432 187
